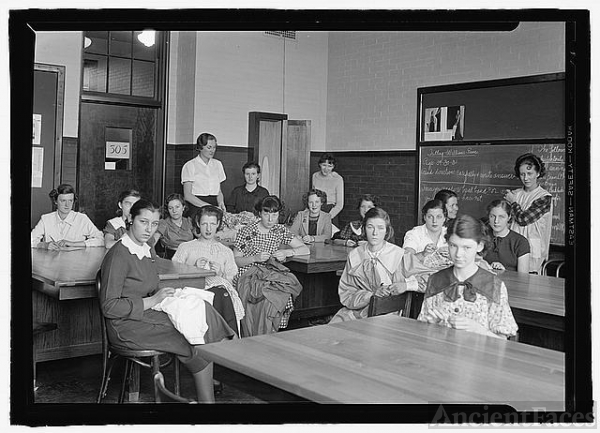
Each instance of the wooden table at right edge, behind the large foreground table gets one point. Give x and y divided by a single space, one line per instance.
538 305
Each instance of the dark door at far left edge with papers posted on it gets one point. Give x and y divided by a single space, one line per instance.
48 95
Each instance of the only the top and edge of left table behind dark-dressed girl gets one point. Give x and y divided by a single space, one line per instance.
72 274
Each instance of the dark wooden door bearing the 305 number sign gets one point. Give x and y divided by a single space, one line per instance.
105 128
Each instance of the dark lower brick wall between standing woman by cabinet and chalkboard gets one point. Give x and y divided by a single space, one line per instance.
389 175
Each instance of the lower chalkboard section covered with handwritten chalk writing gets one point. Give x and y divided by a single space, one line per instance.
480 173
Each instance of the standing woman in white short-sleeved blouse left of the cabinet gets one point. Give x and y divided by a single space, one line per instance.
202 176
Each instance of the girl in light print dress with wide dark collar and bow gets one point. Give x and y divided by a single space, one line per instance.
465 296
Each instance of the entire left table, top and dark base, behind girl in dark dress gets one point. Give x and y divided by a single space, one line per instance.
64 284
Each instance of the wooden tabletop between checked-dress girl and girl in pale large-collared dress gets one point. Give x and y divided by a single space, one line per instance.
323 258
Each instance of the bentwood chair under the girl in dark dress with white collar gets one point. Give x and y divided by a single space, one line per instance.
133 360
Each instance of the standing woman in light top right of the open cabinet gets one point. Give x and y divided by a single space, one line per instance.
332 184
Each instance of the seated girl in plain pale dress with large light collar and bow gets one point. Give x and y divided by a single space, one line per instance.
375 268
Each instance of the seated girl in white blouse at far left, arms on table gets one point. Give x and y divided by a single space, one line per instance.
65 227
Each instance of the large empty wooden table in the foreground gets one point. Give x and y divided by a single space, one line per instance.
390 359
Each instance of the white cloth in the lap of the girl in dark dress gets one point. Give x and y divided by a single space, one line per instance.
187 312
